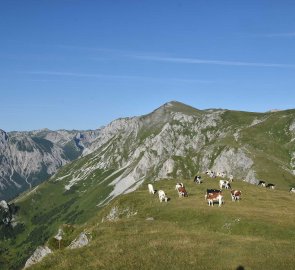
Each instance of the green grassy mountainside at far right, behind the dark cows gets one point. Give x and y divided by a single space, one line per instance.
270 146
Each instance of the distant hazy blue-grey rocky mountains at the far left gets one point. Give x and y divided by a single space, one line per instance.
28 158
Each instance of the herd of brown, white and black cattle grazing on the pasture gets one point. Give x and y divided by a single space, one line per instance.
212 195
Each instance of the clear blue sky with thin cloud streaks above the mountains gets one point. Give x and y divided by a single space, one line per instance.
79 64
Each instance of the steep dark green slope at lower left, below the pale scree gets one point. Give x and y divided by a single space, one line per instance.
44 210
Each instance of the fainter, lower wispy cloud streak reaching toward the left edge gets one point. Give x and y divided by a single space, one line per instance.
110 76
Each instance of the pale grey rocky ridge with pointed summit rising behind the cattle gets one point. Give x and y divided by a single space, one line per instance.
178 141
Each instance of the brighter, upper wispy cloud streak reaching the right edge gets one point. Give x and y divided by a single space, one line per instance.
181 60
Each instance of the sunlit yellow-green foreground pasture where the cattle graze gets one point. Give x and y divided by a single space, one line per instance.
257 233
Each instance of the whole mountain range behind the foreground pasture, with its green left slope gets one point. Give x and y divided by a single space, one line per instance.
91 168
